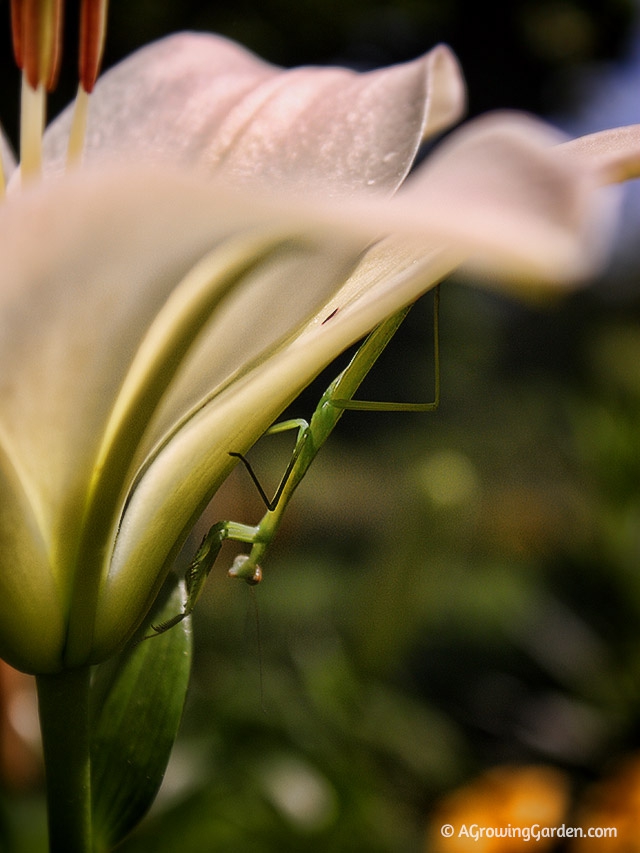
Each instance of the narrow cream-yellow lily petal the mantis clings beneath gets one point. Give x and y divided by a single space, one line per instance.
184 473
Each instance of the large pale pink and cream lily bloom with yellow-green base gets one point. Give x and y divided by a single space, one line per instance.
162 305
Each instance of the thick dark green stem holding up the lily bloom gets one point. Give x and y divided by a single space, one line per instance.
63 703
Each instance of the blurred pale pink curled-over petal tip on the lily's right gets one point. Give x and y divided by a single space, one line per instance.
500 192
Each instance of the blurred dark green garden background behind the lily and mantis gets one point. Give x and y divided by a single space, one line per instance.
453 592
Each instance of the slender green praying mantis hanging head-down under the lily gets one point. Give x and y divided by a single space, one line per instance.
310 438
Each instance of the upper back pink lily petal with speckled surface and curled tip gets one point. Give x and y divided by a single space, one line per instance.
202 100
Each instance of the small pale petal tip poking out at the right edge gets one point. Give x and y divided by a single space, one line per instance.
614 154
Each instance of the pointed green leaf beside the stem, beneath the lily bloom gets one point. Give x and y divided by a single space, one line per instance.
136 706
